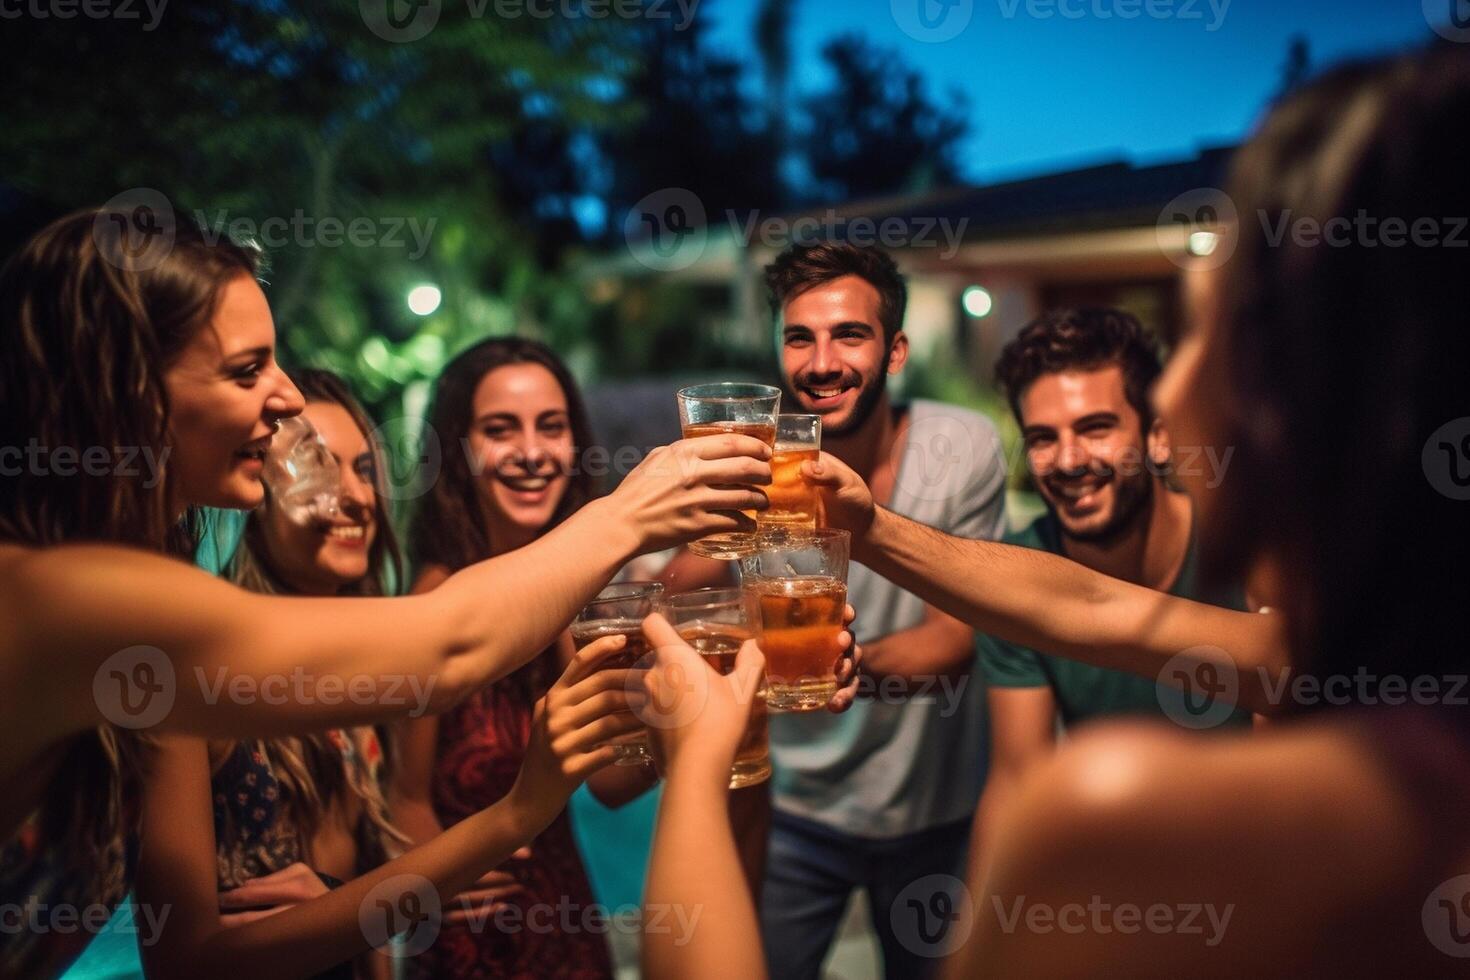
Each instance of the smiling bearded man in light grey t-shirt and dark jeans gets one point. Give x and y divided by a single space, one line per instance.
883 797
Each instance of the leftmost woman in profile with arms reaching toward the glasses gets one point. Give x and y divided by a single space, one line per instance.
174 359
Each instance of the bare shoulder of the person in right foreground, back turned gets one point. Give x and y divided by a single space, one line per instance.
1312 791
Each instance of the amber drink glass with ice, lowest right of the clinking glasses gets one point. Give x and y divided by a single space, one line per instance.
800 588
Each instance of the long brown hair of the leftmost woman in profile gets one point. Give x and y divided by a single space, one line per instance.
87 330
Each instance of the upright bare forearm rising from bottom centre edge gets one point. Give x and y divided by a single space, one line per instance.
696 869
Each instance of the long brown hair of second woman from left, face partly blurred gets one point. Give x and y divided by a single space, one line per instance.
309 768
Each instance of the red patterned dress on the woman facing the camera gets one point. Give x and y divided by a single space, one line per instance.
556 931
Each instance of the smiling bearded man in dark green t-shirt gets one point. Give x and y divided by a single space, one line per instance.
1078 381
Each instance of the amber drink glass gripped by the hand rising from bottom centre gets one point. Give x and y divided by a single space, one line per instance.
717 622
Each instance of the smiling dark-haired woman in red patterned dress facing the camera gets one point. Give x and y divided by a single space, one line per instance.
517 431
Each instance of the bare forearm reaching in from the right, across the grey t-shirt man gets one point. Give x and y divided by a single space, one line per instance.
1049 603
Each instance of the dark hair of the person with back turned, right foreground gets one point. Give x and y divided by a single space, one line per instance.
1344 359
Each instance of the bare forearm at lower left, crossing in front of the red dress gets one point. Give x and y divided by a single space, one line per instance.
329 931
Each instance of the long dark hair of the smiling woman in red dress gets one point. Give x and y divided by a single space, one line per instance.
449 528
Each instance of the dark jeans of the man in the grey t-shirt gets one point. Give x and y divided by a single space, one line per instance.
814 871
